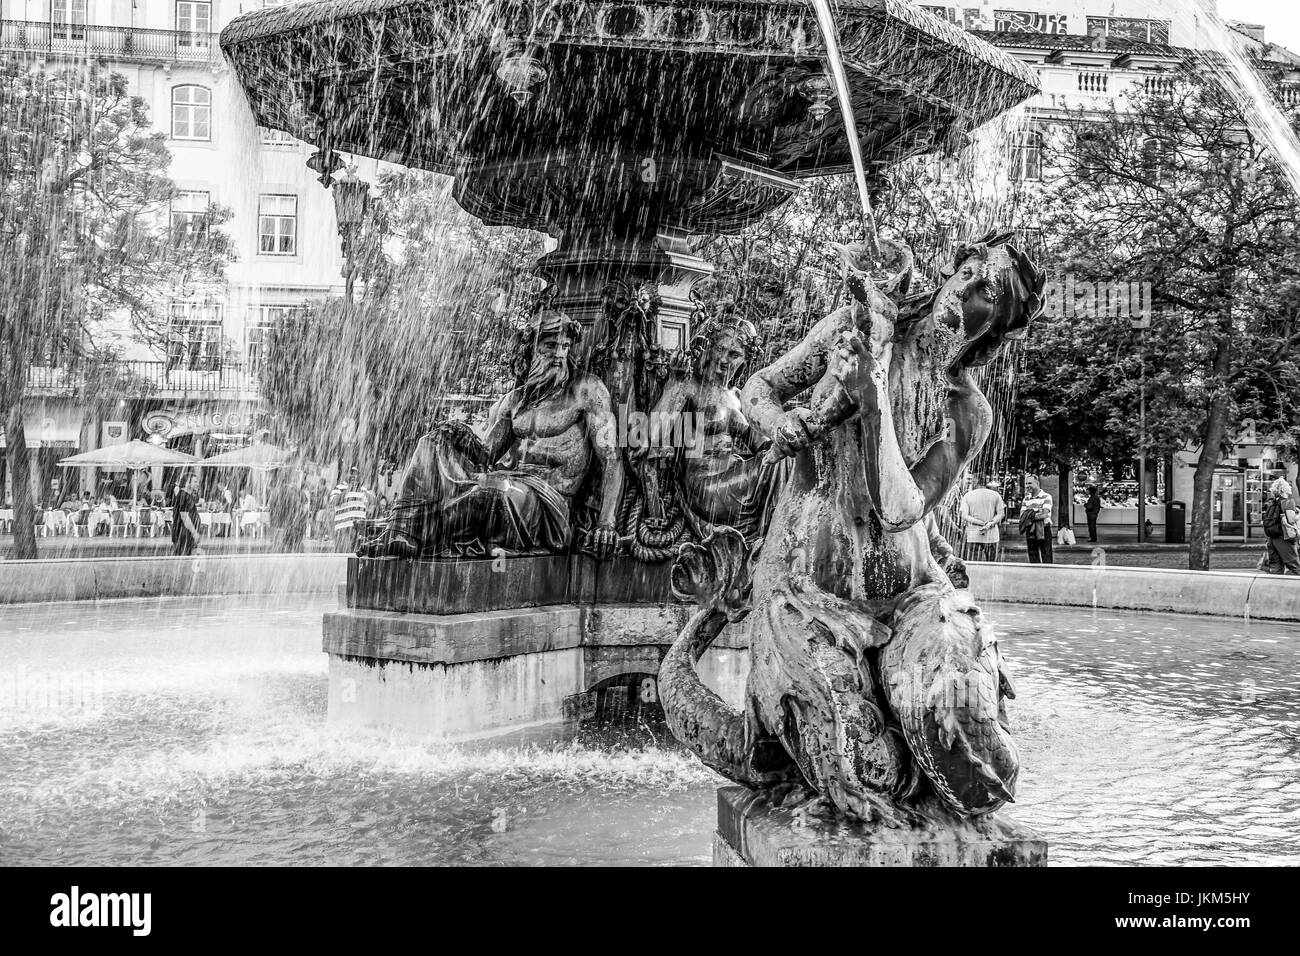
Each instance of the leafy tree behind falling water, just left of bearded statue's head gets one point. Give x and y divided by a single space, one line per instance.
435 318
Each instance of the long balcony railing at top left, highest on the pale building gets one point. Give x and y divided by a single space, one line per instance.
109 42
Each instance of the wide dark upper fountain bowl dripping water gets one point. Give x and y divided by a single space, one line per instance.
639 115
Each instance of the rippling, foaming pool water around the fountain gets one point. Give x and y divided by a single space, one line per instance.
193 732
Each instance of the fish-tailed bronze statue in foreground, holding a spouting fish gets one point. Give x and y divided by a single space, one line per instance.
873 681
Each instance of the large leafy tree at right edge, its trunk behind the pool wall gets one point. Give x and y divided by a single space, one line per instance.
1176 194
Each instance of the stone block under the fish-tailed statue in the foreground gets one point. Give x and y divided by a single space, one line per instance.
755 833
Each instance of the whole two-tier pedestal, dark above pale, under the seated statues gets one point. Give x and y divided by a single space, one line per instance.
467 648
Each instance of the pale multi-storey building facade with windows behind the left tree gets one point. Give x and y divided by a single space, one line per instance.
201 391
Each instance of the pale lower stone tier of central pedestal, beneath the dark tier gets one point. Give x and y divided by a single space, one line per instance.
467 676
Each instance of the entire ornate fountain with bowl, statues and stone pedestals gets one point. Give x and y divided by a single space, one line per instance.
497 595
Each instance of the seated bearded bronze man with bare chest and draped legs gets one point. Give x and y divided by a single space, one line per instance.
517 488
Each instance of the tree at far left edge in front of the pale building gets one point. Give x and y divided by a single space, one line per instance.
85 239
